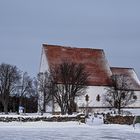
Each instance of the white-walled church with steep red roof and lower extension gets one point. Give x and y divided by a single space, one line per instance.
97 65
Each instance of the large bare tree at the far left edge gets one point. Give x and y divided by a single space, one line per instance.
9 76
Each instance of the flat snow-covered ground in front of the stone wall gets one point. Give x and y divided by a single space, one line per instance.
94 130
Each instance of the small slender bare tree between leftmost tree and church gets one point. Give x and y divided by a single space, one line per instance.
24 87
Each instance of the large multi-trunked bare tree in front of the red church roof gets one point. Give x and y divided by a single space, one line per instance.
70 81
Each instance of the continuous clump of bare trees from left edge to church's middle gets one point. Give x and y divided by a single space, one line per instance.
61 85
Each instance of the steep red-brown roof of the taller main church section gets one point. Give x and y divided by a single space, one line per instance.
93 59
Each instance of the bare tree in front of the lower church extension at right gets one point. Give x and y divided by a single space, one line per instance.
119 95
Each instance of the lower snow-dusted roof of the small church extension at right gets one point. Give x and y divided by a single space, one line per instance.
133 79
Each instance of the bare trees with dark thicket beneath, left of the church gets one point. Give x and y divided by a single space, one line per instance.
17 89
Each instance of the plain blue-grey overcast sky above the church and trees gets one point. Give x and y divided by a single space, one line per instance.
113 25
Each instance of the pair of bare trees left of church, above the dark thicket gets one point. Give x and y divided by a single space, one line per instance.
14 83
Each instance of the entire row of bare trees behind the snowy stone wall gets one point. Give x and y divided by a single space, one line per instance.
60 85
